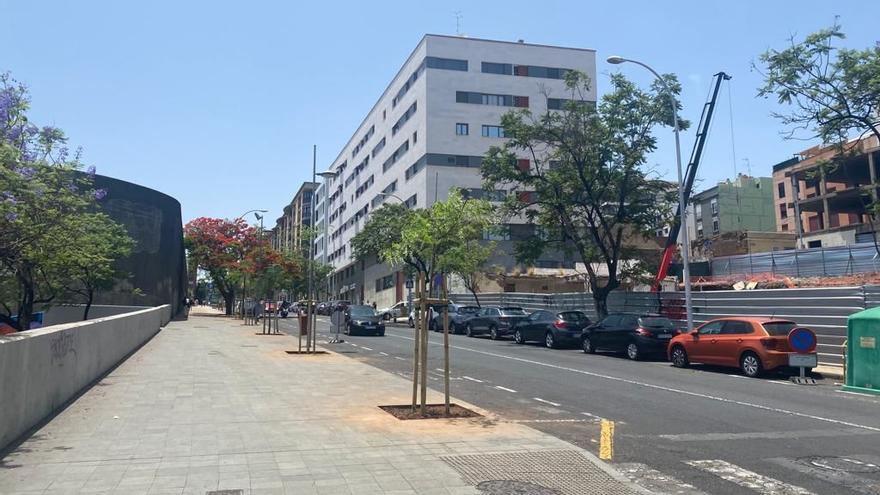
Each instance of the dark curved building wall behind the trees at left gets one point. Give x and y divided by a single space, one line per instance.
157 263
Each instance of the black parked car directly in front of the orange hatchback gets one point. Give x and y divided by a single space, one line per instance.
633 334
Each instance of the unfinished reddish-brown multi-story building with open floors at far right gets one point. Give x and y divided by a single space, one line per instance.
828 194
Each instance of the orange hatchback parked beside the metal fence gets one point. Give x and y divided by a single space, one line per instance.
753 345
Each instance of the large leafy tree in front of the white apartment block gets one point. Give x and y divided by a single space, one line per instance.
582 178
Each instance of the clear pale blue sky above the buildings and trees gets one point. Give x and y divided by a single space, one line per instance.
218 103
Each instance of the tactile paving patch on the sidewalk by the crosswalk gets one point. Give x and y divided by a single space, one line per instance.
564 472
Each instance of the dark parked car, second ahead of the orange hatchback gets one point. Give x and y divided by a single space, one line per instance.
553 328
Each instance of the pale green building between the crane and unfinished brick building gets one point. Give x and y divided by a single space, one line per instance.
726 218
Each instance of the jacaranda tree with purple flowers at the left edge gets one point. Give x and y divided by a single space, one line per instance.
49 211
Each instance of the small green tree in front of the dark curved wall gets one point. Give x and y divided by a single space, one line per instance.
91 266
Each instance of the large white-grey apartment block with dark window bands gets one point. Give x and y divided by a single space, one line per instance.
426 134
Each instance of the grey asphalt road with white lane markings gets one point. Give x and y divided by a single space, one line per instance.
698 430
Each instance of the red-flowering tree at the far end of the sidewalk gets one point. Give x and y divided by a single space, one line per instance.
220 246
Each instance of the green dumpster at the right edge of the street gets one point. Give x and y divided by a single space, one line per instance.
863 352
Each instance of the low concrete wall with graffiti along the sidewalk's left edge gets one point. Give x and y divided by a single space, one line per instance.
40 370
